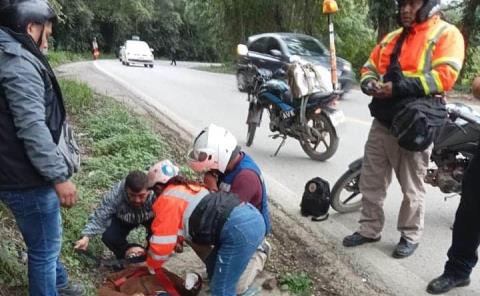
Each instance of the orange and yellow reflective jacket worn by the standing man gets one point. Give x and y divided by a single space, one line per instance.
431 58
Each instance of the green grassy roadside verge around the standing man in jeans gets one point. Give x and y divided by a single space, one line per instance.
113 141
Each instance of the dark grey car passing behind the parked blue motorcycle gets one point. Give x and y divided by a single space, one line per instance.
273 50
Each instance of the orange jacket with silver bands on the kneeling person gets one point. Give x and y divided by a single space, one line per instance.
172 211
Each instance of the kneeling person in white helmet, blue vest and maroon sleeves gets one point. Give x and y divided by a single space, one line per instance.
216 153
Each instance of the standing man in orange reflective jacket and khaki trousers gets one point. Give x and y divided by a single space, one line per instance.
428 54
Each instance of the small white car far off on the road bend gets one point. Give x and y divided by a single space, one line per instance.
135 52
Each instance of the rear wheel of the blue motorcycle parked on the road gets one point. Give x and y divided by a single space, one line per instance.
322 126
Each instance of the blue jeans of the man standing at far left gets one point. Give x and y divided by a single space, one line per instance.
37 212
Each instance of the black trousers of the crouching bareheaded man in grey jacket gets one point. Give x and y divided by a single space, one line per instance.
115 236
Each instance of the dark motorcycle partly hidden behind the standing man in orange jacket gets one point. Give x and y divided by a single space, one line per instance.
453 148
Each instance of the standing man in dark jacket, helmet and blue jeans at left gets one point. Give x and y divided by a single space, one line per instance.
34 176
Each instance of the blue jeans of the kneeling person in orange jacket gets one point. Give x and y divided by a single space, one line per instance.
242 233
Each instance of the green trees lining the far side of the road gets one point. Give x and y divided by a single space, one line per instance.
209 30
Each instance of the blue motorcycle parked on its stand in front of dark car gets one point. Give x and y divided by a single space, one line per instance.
311 119
